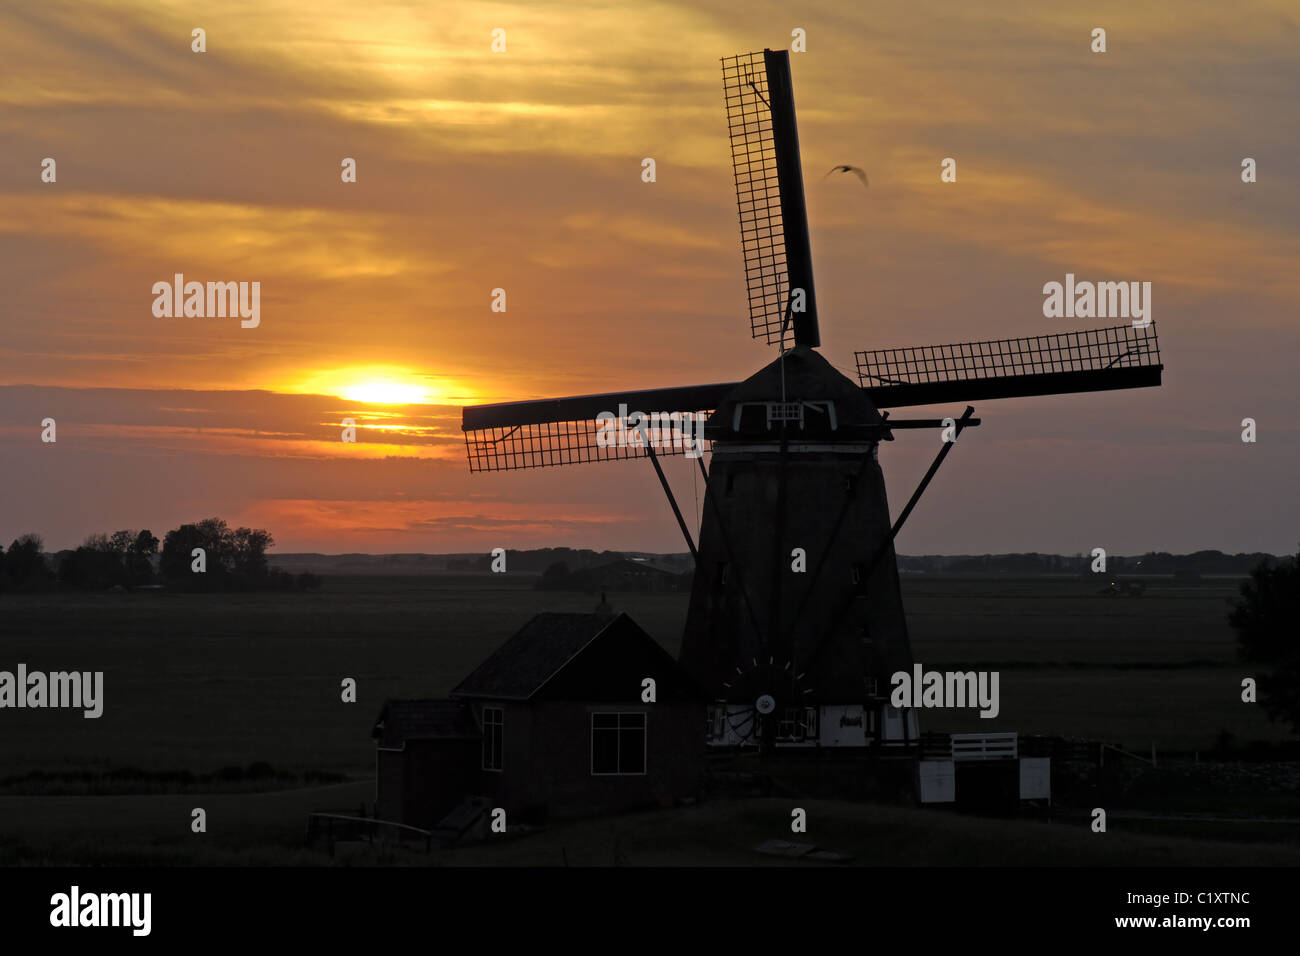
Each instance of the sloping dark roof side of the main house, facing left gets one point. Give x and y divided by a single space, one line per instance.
536 654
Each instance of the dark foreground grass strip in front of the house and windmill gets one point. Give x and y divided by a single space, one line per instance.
154 830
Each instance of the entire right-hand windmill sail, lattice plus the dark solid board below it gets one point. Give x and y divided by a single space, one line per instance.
1124 357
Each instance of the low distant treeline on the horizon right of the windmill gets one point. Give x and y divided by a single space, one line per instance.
1034 564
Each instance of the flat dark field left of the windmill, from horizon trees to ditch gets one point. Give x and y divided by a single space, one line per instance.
202 682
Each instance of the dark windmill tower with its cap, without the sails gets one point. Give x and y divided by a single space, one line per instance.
790 613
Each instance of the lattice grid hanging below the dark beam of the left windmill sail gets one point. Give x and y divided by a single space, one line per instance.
551 444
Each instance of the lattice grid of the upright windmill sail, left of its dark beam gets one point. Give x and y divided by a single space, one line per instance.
759 196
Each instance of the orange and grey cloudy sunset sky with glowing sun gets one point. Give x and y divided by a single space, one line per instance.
522 171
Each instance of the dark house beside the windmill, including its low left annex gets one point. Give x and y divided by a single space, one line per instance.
575 715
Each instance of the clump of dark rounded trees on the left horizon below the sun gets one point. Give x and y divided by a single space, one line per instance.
233 560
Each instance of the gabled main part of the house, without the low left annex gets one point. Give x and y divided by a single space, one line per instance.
571 726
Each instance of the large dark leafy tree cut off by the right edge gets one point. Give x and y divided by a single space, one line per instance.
1267 620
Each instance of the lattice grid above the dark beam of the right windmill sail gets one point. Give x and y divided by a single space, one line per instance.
1094 351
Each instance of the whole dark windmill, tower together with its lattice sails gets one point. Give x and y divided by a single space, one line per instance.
796 620
